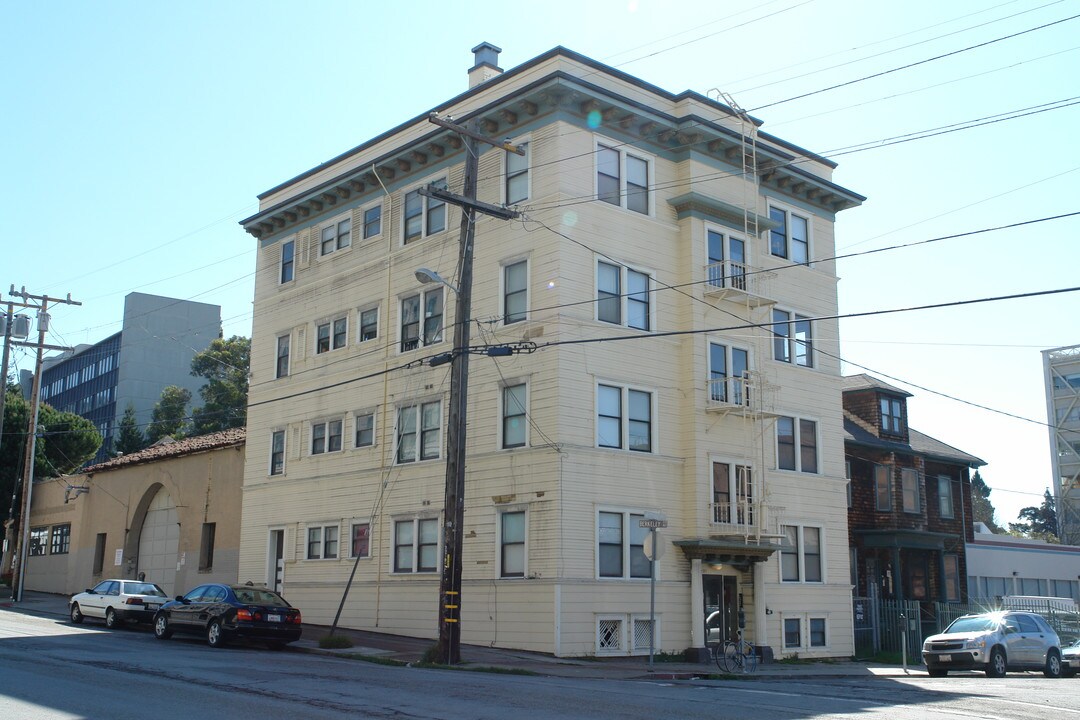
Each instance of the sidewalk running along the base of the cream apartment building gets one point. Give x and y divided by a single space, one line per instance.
396 648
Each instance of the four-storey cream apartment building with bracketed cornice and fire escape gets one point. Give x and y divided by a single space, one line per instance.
660 293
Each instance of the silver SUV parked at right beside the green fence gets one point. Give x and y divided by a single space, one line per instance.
995 642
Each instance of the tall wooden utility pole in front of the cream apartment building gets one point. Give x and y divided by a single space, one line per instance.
449 650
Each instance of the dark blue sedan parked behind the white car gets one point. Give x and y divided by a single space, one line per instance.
225 613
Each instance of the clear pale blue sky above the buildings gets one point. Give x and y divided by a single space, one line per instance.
136 137
